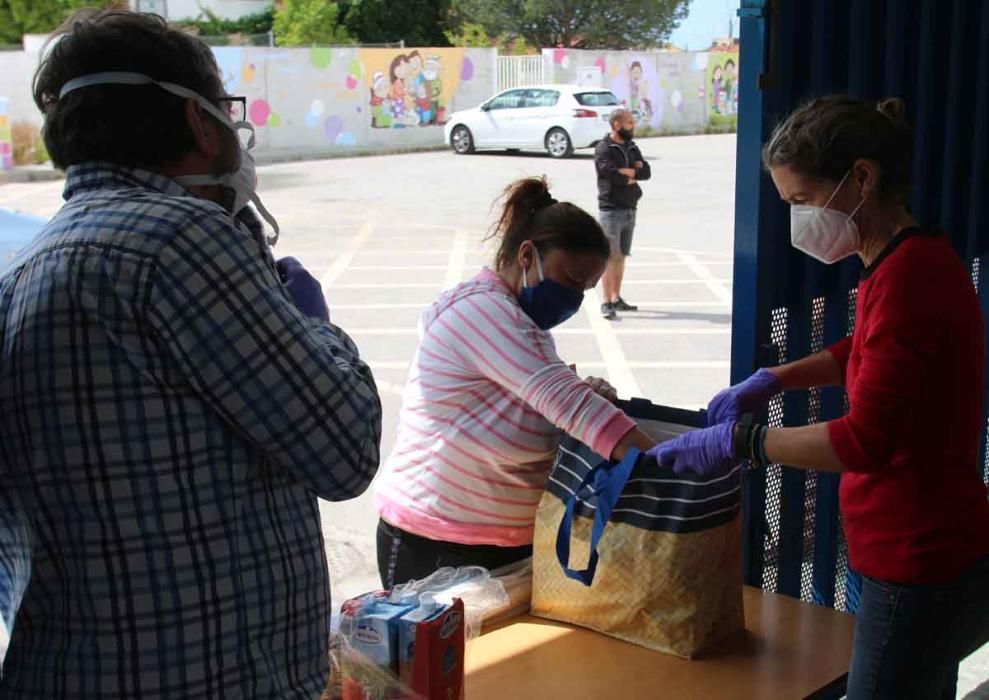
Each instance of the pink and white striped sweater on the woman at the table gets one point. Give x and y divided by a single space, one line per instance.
487 402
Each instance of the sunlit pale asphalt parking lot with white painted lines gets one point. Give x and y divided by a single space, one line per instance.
387 234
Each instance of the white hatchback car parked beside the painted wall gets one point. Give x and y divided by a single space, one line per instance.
555 118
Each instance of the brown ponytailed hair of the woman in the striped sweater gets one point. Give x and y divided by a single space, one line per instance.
530 213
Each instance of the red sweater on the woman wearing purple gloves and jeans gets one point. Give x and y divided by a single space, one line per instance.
912 498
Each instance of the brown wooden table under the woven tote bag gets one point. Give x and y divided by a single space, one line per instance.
788 650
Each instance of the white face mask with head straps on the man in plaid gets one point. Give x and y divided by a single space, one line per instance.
243 181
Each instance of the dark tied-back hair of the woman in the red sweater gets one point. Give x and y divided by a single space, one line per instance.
825 137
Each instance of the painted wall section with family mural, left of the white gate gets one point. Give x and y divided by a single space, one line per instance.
338 98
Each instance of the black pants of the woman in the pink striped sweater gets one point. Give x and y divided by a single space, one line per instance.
403 556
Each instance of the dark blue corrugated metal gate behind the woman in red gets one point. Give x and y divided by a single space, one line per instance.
935 55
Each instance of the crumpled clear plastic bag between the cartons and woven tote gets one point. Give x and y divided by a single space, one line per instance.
475 585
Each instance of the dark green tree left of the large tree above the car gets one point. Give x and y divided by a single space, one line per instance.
417 22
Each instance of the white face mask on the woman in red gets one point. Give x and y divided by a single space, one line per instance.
824 234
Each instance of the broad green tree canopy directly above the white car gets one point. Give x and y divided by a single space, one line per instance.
581 24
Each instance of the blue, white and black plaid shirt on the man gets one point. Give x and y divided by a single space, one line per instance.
168 418
